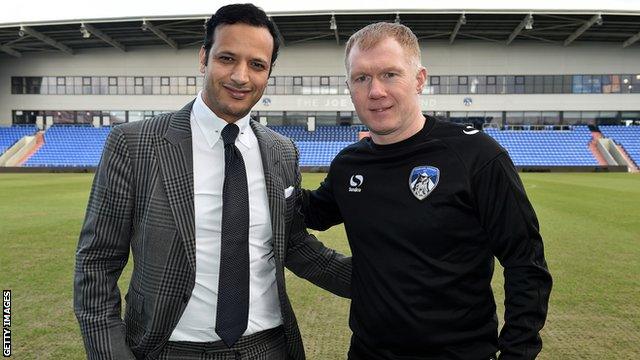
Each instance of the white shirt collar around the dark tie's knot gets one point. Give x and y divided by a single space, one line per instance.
211 125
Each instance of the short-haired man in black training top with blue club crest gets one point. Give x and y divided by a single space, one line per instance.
426 206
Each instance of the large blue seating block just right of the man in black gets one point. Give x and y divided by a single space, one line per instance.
547 147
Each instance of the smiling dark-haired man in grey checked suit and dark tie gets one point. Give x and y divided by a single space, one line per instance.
173 190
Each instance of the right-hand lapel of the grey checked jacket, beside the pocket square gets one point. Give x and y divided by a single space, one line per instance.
269 152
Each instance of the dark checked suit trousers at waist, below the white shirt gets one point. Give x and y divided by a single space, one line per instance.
265 345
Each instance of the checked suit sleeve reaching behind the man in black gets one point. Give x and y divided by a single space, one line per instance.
308 258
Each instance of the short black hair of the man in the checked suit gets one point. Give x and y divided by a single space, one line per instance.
240 13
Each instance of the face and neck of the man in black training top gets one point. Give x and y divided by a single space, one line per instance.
384 83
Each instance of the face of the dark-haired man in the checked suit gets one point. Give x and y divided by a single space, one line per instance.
237 70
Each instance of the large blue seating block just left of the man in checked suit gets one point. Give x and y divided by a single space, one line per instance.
68 145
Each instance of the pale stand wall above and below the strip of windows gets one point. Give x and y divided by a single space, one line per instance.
470 58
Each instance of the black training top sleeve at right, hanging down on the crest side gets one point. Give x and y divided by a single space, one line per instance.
508 217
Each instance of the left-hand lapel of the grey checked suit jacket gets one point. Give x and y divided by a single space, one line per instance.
175 156
